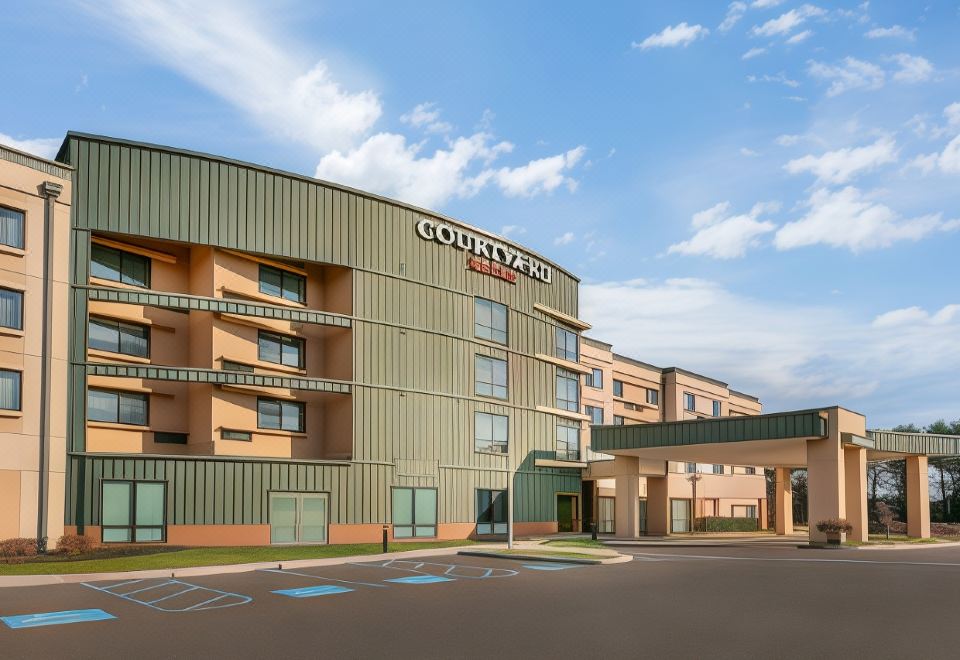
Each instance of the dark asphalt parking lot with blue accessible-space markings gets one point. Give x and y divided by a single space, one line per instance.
668 602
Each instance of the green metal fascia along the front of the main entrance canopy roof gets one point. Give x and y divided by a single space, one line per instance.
708 431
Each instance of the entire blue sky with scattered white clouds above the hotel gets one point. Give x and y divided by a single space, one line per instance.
763 191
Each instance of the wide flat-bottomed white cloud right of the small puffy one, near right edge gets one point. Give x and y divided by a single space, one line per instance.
847 219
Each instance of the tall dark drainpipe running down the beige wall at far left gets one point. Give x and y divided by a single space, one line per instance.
51 191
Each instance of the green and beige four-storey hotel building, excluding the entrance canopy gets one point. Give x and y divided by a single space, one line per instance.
212 352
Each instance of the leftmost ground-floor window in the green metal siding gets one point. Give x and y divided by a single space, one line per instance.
133 511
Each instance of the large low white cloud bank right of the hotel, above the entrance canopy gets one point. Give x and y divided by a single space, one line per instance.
792 354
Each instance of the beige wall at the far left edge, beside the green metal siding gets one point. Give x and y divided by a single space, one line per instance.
21 181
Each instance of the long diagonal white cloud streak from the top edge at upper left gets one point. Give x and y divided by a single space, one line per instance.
228 49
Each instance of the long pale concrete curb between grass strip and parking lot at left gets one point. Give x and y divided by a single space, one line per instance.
193 571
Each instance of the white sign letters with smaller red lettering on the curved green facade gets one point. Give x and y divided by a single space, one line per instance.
500 256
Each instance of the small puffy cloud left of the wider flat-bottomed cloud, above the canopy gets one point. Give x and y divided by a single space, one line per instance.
723 236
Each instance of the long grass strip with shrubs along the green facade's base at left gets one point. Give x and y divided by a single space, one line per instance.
160 558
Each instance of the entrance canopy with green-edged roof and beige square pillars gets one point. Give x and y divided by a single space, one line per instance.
833 444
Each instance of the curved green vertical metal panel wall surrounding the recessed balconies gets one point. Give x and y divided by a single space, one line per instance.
414 348
